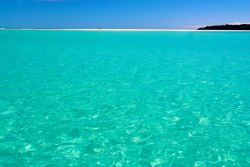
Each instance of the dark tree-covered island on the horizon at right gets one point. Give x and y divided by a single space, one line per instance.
227 27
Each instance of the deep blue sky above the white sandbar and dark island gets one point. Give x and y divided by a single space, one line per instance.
121 13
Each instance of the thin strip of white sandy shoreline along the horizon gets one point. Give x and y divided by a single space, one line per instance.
131 30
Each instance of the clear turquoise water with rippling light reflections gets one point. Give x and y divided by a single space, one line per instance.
74 98
